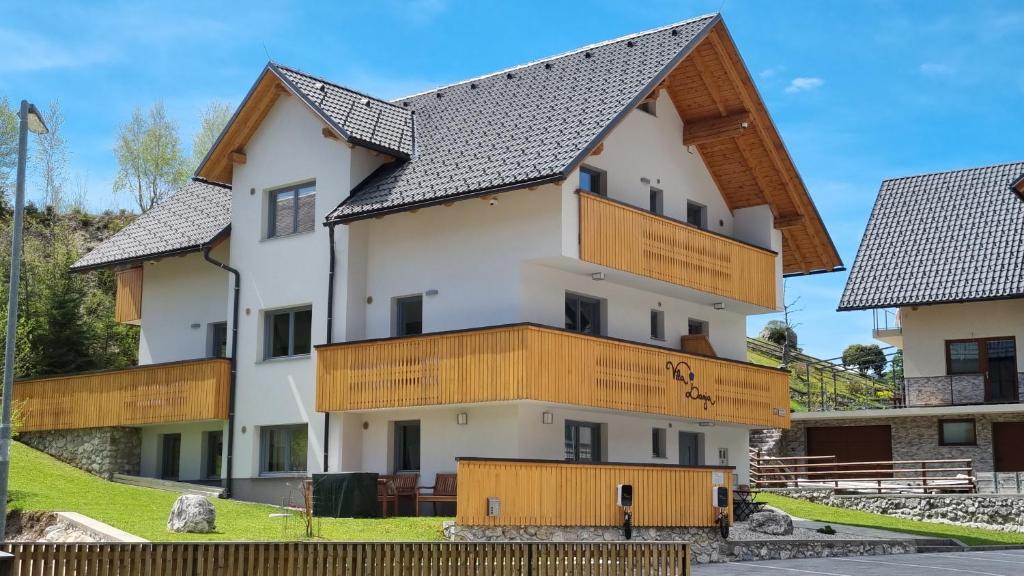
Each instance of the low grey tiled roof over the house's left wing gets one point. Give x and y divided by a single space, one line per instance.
194 217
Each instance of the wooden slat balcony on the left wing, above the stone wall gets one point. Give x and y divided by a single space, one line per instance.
147 395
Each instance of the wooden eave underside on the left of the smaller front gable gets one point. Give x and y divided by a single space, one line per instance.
230 150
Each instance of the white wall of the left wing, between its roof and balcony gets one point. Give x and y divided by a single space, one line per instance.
181 298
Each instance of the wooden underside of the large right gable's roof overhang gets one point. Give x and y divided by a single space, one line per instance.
726 120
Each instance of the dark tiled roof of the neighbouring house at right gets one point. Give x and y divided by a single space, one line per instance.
942 238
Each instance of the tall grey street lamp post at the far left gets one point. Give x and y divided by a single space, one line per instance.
29 119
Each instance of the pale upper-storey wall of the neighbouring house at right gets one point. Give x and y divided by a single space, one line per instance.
927 328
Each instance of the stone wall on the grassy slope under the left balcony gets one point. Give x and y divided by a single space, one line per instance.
101 451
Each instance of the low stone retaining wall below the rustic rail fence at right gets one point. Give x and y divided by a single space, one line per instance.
979 511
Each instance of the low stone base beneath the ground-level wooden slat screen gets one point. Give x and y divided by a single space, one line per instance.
706 544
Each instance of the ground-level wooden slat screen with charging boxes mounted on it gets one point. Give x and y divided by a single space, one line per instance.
572 495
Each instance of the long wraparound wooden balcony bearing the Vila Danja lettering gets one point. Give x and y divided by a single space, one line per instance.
530 362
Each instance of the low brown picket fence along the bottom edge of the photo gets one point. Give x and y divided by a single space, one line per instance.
351 559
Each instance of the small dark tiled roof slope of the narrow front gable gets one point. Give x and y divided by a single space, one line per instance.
362 119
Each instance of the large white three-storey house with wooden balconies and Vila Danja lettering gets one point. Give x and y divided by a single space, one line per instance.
552 263
